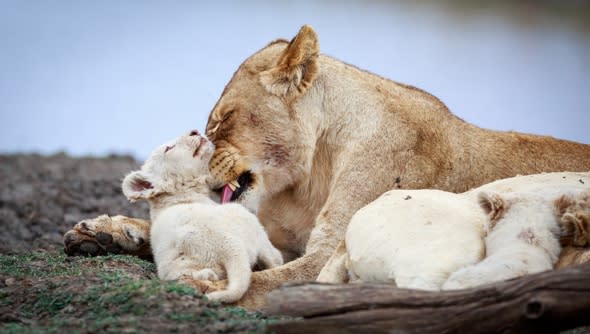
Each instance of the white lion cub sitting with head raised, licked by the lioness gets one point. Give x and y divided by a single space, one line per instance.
192 234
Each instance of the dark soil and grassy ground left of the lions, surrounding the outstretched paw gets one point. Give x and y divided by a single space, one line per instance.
42 290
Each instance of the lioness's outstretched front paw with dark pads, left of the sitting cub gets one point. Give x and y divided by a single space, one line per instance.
104 234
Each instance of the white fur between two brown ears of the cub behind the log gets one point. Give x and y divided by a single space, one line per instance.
523 241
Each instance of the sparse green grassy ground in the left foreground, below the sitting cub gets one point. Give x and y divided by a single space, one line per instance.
52 293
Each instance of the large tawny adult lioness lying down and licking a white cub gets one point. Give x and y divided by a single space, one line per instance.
311 139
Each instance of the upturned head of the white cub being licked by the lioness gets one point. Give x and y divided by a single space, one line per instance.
180 164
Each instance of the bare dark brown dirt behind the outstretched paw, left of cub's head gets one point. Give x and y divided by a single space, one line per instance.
43 197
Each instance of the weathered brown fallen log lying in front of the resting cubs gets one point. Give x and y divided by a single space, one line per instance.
542 303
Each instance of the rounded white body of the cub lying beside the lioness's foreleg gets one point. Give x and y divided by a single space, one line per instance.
408 237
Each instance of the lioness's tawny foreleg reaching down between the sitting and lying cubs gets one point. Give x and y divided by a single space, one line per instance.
350 193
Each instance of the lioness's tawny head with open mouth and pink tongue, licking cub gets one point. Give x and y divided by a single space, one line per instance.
253 125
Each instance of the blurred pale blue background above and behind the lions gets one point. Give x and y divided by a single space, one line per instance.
111 76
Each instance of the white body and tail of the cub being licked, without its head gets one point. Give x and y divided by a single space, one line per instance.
209 241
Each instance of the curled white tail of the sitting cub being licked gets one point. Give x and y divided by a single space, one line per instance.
239 272
